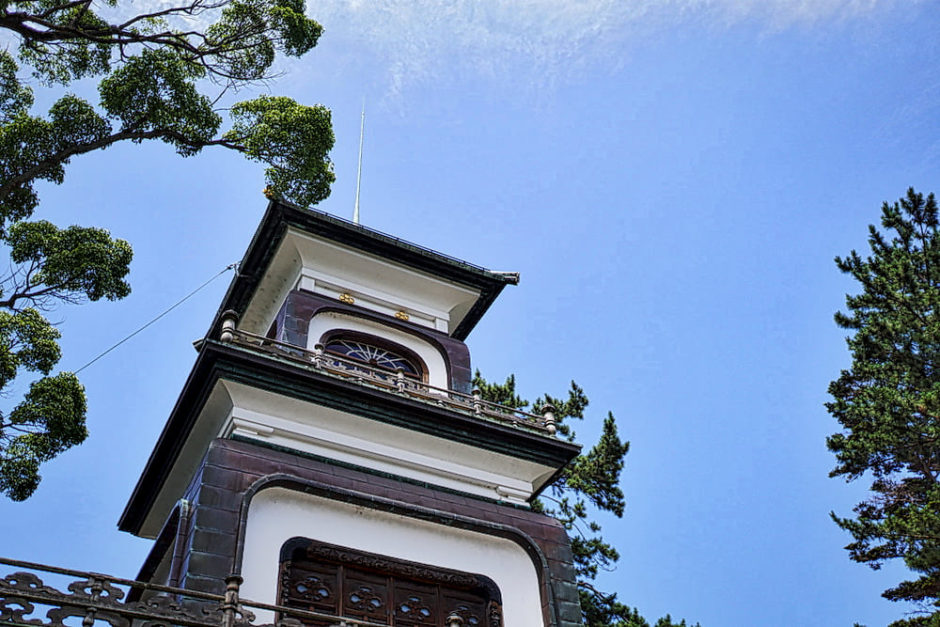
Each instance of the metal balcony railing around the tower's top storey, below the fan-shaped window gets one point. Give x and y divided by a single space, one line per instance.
393 382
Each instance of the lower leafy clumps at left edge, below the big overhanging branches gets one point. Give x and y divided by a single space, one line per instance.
53 265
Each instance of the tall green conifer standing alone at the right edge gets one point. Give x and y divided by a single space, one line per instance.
888 400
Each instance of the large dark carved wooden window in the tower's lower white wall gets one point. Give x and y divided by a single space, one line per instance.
346 583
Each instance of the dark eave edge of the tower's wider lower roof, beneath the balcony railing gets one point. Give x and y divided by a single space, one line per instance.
232 363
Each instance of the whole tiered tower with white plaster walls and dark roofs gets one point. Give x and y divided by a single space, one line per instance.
328 448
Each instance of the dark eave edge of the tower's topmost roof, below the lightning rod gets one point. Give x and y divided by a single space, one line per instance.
281 215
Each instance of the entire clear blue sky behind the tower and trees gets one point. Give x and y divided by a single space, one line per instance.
672 179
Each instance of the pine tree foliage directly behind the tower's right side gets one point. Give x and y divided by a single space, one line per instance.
591 480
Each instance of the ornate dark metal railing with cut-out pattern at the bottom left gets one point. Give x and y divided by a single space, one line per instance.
96 600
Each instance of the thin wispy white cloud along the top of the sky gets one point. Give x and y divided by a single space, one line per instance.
428 40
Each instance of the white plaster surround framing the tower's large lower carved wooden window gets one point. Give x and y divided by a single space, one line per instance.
277 514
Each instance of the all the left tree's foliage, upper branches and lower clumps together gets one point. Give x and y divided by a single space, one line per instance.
160 76
